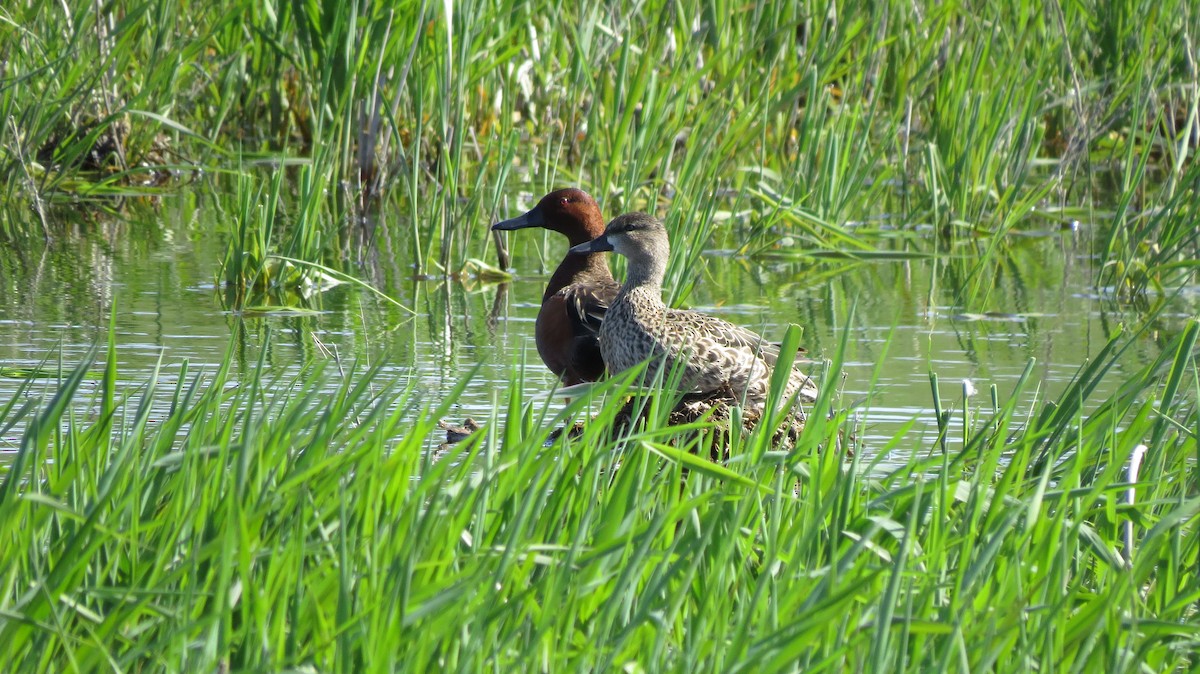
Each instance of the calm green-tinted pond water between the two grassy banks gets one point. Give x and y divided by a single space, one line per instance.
913 317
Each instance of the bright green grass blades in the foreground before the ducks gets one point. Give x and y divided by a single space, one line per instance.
313 529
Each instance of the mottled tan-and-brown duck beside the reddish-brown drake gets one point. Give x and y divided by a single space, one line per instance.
717 356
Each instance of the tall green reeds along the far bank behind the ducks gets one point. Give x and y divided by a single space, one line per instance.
963 119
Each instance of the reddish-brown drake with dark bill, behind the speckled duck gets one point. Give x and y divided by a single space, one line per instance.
579 292
